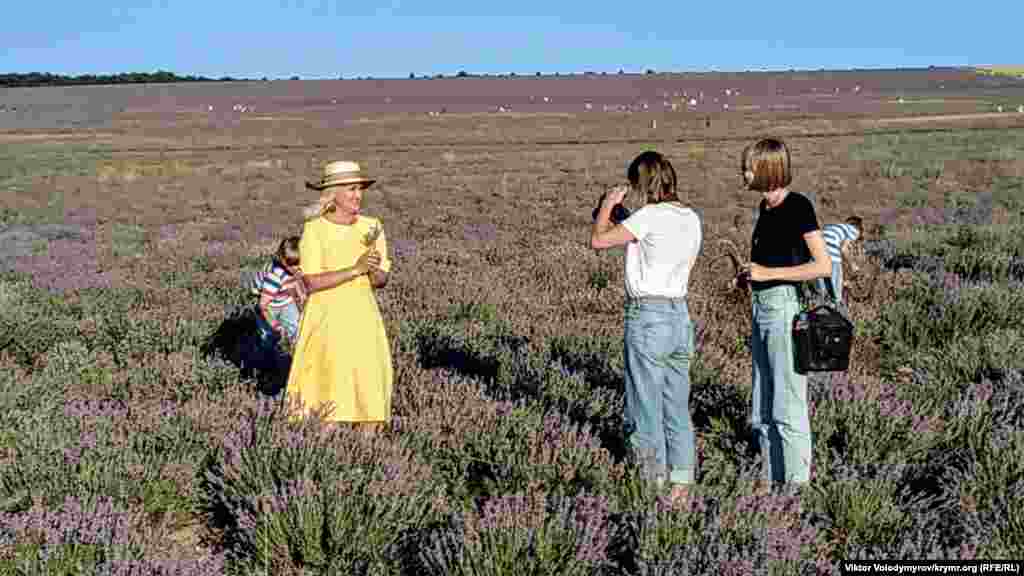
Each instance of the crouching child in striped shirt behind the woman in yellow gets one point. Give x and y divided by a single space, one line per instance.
282 293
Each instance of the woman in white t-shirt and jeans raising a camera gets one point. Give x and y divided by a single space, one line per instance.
662 241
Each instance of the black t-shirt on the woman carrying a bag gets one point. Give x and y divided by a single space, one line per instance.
779 236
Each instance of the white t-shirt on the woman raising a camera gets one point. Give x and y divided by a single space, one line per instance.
668 242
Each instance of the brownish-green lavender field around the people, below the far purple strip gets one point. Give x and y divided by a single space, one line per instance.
132 444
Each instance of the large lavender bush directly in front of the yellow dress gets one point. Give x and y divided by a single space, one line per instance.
293 497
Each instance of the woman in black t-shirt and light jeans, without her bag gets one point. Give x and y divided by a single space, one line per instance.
787 250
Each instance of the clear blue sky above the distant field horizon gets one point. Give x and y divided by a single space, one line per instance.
394 38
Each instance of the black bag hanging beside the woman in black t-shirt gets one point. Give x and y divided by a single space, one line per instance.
823 339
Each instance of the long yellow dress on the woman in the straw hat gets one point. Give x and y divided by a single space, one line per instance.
343 356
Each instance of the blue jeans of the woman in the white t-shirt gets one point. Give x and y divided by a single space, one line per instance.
659 345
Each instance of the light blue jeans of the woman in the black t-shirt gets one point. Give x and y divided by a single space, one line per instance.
780 415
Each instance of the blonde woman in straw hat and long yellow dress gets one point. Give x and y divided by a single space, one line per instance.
343 358
